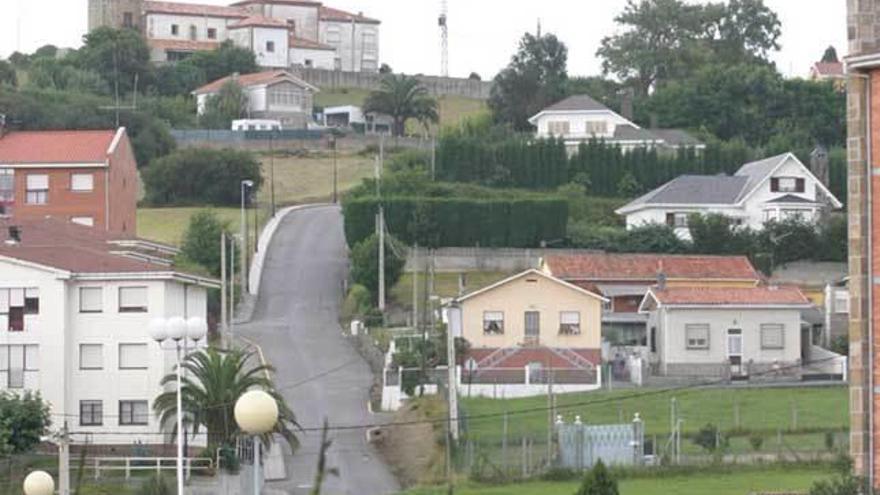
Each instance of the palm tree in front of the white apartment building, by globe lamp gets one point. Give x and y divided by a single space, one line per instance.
214 380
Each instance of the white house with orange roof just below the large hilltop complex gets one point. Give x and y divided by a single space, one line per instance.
274 95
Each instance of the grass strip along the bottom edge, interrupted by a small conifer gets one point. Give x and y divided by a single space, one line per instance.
743 482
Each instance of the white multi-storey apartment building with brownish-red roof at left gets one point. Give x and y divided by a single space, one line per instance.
75 304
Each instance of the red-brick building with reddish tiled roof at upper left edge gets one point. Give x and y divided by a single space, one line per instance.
87 177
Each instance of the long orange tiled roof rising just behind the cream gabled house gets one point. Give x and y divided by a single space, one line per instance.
624 267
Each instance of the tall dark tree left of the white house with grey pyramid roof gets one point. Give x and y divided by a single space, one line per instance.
535 77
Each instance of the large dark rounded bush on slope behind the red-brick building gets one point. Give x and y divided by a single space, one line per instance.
200 176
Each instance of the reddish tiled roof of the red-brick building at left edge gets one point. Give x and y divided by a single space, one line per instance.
55 146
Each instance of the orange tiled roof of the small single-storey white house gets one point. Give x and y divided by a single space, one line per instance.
731 296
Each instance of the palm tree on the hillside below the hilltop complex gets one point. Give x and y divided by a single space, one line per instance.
403 98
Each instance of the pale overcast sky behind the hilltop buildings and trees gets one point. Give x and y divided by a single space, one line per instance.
483 33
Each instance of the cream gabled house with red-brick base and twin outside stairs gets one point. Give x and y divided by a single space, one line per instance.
535 322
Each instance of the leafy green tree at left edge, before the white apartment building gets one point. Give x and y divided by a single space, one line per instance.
24 420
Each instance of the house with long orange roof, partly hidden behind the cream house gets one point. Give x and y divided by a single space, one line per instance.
624 279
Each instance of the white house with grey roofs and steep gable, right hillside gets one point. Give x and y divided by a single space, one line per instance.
775 188
